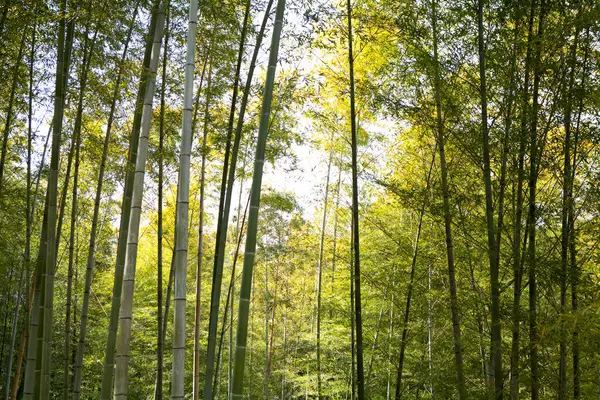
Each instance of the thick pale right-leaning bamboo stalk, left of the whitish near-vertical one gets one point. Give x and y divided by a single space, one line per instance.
125 317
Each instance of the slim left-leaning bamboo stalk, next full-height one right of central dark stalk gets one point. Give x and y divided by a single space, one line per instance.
446 209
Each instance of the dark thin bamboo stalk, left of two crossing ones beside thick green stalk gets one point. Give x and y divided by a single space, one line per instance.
222 223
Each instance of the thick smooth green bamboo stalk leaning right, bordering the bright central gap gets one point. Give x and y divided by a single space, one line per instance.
242 331
